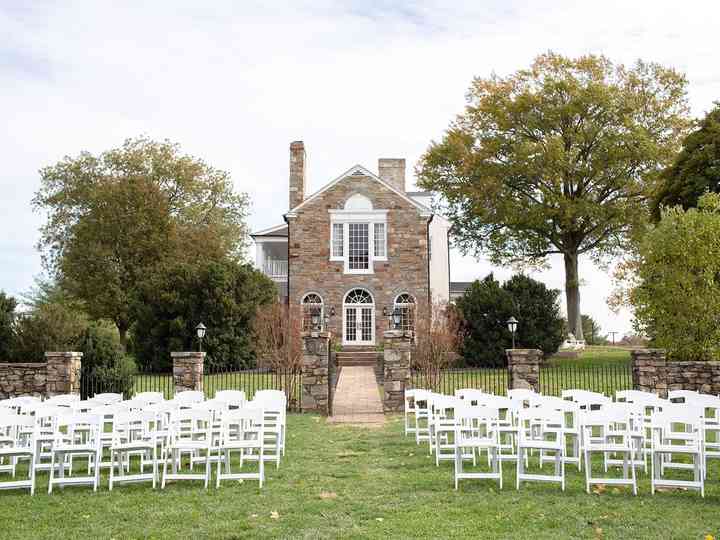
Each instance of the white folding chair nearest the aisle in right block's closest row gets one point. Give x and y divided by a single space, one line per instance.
476 430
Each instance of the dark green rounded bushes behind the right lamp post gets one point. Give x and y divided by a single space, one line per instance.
485 308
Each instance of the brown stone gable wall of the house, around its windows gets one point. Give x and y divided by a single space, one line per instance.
310 267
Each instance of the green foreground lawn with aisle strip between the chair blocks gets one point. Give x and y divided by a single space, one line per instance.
361 483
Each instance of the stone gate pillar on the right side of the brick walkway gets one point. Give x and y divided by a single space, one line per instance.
396 359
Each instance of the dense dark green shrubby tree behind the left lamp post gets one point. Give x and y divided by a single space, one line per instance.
223 295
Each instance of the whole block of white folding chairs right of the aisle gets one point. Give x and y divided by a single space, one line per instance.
635 428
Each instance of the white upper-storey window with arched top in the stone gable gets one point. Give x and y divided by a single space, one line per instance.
358 235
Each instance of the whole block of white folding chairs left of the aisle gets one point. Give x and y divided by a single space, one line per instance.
109 432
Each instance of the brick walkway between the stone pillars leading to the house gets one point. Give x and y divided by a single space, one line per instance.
357 397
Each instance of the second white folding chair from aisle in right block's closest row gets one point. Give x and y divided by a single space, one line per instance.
541 428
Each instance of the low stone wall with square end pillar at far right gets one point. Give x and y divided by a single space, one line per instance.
652 372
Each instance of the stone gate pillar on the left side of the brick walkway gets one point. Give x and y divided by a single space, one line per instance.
315 380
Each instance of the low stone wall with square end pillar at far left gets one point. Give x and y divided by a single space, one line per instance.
60 374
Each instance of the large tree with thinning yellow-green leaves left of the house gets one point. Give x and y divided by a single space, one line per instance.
117 217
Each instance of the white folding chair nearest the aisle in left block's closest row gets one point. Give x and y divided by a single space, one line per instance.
241 432
